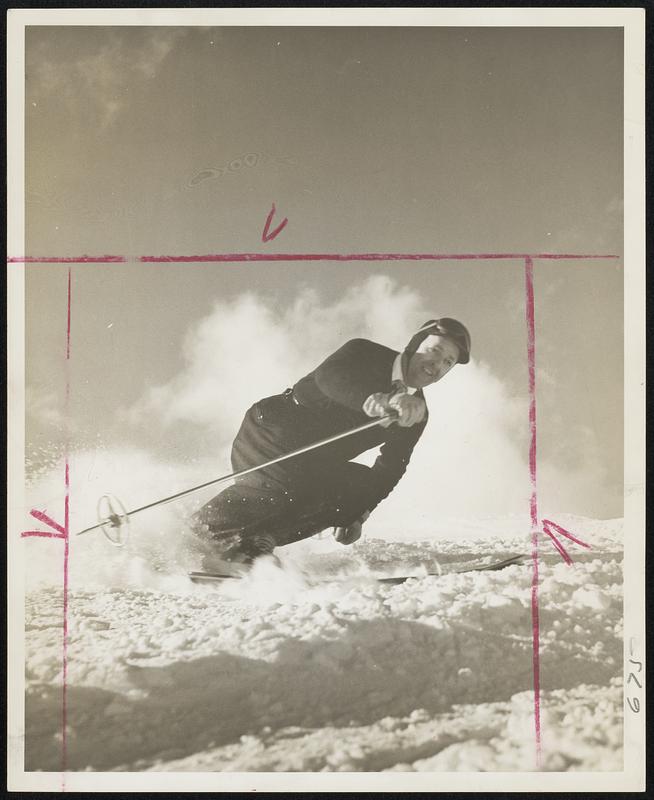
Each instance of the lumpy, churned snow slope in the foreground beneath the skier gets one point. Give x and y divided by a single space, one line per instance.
280 673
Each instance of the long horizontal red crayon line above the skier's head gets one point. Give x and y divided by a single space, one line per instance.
254 257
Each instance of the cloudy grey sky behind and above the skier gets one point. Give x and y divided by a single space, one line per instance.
152 141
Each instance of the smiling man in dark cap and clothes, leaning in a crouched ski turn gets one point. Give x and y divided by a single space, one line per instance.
299 497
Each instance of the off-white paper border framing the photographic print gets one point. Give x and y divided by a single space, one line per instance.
632 20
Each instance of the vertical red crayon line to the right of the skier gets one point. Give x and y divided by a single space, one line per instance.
533 505
